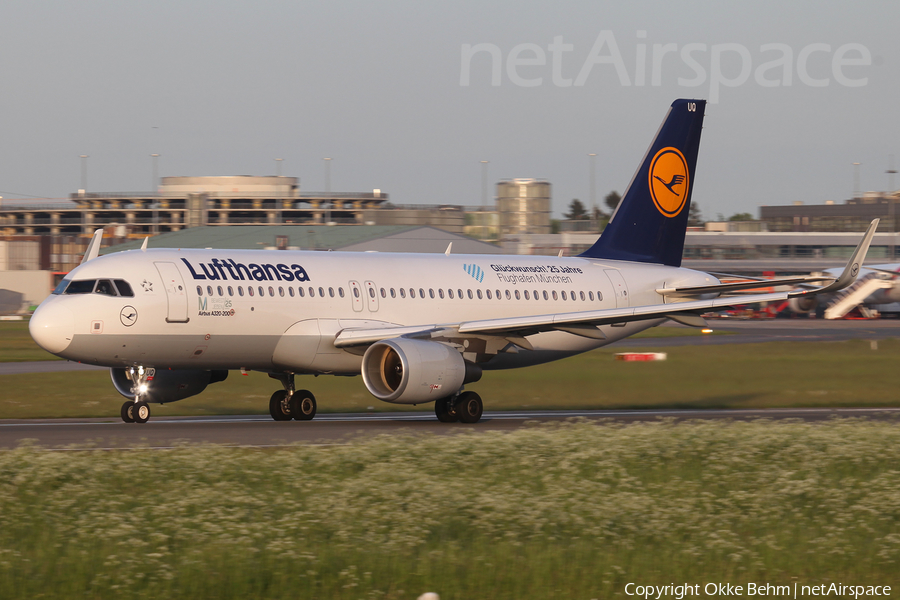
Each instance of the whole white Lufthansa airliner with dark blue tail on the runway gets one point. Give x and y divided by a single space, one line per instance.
417 327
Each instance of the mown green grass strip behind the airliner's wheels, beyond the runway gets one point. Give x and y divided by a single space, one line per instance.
783 374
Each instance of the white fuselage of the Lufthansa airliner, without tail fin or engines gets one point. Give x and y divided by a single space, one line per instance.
281 310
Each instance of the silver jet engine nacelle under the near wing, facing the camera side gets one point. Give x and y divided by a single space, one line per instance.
405 371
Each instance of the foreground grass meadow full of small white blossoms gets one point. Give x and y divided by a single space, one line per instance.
554 511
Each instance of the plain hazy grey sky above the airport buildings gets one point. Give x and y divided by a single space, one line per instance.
410 97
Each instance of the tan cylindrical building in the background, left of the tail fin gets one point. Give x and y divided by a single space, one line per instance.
523 206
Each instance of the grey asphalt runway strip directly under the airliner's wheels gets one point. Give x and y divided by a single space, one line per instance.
260 431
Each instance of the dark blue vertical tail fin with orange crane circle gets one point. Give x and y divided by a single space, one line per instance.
651 219
